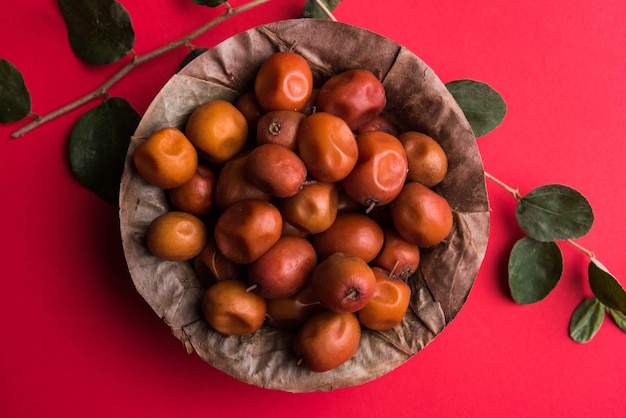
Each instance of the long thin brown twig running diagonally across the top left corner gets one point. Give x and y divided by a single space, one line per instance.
136 61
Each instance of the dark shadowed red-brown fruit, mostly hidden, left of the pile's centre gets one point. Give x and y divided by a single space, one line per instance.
233 184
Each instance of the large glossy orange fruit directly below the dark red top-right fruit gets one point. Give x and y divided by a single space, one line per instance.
327 146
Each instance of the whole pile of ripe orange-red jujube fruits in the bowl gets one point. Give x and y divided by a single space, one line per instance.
301 208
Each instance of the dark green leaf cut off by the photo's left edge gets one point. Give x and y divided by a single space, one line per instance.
14 96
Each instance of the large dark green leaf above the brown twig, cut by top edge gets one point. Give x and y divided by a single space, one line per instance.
99 31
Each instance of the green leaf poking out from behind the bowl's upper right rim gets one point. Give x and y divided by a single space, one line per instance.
483 107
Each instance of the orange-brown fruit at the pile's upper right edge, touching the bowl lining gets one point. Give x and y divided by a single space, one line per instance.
428 163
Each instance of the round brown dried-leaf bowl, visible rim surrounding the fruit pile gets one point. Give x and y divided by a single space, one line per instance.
418 100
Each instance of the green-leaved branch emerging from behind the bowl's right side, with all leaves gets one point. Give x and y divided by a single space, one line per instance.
547 214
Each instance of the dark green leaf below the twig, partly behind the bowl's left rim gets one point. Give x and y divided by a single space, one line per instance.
98 145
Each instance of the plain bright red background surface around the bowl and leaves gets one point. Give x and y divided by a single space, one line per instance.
77 340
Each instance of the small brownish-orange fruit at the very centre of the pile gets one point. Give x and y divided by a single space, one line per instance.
313 209
